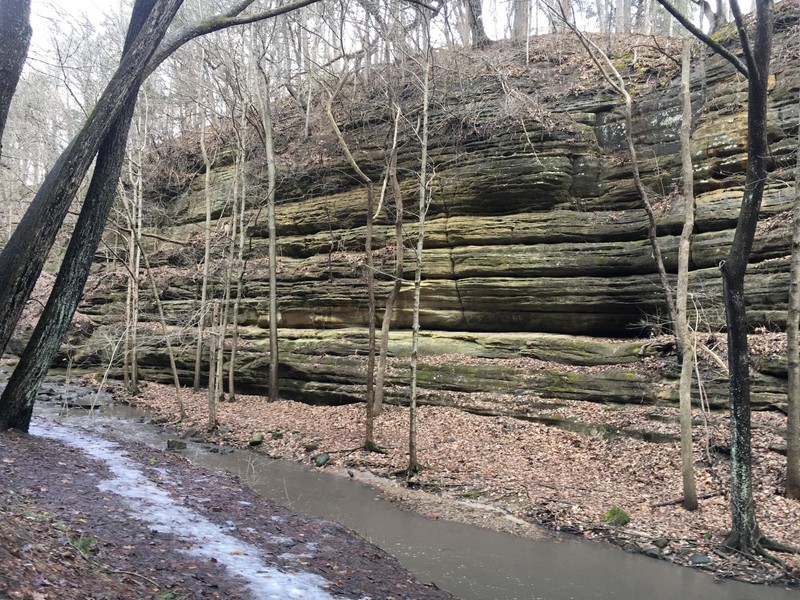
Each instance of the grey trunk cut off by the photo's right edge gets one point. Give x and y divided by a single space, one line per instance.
793 350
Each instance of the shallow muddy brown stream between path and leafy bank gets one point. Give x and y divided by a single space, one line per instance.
472 563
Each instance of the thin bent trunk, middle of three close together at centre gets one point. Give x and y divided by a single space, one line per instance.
380 377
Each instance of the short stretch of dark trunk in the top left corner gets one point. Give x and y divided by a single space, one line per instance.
15 31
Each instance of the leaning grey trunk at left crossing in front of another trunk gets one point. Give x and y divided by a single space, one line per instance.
23 258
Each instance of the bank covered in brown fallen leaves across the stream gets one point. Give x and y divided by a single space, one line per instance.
513 475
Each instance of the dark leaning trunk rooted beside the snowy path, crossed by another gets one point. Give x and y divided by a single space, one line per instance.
16 404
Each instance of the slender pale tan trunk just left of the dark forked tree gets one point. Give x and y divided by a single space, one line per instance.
684 250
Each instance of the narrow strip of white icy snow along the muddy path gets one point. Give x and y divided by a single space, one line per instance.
153 505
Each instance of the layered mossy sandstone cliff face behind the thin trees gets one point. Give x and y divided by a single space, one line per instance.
538 277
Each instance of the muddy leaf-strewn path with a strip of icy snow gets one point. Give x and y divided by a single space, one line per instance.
83 518
